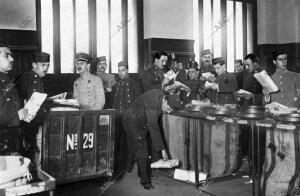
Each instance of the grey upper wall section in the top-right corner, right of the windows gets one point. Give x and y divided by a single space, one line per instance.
278 21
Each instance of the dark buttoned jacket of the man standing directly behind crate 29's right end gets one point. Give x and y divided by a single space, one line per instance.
125 92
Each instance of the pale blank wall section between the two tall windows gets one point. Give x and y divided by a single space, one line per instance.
172 19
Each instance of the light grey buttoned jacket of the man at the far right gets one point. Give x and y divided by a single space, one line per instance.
288 84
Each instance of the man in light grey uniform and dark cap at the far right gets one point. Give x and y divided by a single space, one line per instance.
288 82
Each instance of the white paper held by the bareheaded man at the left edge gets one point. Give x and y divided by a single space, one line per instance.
33 105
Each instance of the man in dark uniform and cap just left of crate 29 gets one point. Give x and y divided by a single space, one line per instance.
29 83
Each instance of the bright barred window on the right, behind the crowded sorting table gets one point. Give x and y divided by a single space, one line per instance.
227 29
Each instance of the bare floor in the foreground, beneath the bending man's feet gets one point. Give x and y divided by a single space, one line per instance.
128 185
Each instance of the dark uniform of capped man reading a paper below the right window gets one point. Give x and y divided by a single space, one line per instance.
227 85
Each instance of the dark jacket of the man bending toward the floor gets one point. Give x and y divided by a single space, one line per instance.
143 115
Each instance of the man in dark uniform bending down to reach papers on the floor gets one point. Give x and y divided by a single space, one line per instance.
142 119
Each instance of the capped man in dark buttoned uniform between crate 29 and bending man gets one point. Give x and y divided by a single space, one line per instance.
125 92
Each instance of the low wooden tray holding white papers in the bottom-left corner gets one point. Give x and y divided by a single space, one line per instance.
45 183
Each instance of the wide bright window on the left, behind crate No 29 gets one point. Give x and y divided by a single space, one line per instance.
97 27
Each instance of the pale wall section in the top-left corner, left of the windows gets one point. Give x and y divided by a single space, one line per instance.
17 14
